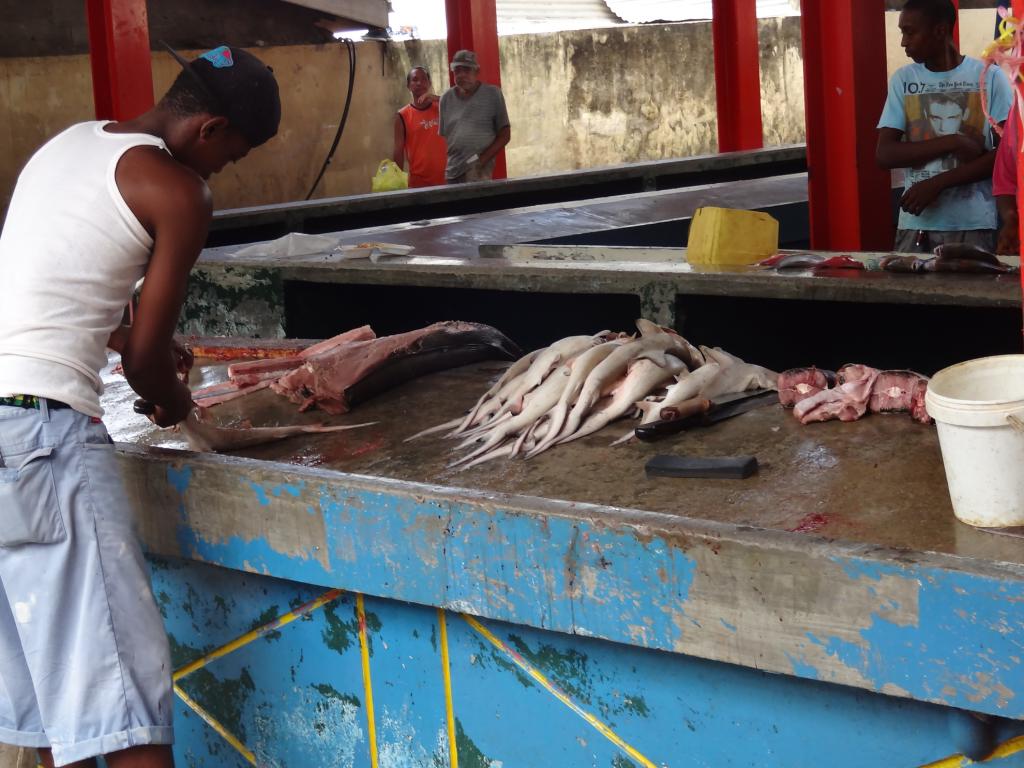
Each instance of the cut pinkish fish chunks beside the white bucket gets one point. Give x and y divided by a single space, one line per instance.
859 390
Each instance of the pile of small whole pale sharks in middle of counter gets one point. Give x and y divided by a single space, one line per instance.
579 386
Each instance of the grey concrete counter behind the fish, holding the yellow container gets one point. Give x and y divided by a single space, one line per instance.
244 294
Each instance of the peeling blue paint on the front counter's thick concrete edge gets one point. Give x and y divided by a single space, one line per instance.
961 645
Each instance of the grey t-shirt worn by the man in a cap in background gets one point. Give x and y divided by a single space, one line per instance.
471 125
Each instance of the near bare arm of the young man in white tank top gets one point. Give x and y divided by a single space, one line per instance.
175 205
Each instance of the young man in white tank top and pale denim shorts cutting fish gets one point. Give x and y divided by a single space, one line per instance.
84 663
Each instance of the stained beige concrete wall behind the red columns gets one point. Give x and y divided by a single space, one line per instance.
577 100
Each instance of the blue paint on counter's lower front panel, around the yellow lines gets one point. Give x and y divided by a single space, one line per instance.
304 703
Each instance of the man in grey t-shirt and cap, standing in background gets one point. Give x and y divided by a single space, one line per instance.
475 122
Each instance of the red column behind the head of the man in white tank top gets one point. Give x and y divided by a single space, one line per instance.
119 50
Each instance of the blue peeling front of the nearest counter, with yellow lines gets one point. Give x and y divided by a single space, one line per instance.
538 633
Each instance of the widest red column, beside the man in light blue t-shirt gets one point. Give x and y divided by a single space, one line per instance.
845 91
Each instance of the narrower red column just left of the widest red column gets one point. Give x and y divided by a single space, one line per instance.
738 75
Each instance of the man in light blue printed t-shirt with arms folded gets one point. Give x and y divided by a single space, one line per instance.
934 126
